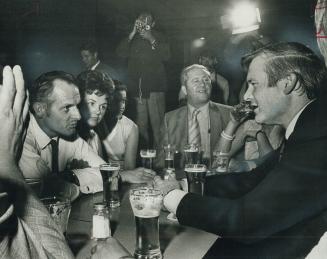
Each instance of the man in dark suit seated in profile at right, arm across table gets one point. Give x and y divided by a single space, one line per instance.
277 210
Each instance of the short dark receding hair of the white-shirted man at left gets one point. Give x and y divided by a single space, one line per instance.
43 85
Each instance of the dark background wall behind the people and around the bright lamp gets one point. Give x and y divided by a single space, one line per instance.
44 35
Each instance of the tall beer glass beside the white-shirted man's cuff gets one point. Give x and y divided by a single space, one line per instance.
110 173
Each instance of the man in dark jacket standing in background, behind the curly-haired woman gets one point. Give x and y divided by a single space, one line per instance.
91 60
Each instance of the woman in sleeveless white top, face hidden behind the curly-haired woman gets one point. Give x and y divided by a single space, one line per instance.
120 136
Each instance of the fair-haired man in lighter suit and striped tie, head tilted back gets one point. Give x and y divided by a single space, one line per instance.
212 117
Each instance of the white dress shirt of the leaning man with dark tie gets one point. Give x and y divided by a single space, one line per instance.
36 158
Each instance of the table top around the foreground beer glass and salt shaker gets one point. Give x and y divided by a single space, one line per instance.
176 241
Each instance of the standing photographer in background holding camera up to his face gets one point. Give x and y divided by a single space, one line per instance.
146 50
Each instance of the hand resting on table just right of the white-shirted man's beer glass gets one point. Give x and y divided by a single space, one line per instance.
138 175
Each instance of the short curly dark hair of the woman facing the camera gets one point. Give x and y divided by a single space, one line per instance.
94 81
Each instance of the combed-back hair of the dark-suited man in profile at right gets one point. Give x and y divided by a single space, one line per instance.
284 58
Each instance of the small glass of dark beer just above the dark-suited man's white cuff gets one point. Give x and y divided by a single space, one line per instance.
195 174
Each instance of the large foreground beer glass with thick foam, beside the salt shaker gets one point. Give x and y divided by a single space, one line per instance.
146 203
